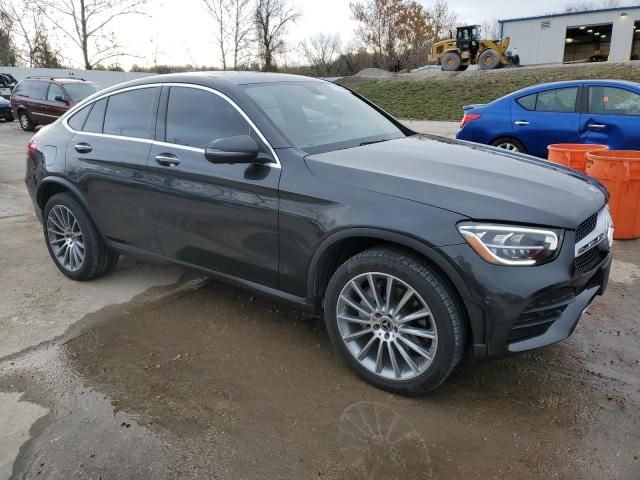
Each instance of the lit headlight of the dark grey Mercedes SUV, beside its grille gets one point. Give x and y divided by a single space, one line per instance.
509 245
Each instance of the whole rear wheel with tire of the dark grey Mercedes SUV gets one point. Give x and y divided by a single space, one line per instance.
73 241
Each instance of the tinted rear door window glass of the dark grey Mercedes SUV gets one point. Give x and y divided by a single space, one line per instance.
133 113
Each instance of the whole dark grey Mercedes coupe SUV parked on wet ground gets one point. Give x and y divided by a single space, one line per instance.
414 248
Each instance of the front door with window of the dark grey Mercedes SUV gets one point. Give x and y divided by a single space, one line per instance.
221 217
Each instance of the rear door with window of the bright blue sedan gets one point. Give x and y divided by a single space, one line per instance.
546 117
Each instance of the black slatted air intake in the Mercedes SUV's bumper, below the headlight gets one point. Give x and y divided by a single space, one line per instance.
540 314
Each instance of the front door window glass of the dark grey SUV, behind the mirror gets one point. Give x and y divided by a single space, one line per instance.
196 118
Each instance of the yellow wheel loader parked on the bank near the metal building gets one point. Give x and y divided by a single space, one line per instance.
468 48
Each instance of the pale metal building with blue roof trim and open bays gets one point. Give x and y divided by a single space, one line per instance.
611 34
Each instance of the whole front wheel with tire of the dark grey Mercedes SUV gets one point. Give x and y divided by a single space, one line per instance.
395 321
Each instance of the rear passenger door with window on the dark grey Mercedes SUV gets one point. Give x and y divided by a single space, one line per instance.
108 160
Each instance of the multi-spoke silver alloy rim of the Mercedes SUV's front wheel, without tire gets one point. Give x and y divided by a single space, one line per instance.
387 326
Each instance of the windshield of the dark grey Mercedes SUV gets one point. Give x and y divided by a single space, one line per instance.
321 117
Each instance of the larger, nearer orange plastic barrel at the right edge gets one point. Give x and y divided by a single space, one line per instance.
619 170
